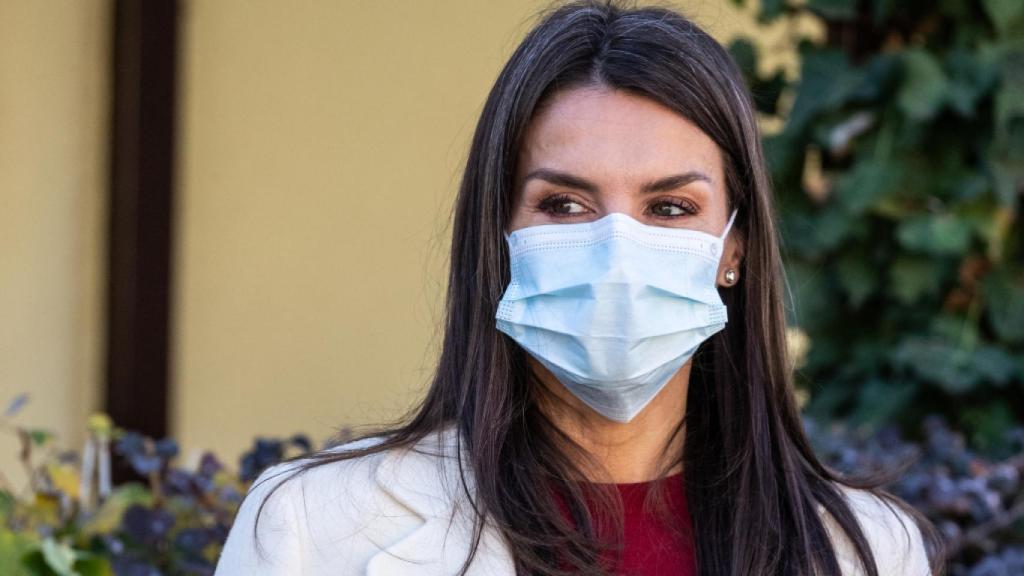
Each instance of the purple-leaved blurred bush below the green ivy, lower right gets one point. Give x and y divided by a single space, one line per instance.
977 504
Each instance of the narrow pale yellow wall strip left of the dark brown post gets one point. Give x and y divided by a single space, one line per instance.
54 100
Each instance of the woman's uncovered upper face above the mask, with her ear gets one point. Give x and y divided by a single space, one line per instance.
594 151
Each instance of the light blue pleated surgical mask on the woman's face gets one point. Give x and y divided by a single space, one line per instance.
613 308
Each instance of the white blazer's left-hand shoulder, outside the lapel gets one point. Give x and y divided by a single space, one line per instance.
331 518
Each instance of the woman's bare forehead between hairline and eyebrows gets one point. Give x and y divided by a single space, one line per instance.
616 136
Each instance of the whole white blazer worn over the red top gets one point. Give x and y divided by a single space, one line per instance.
403 513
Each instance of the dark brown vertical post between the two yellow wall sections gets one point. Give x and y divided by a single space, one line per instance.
145 48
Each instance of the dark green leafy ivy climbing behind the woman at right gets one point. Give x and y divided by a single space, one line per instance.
900 171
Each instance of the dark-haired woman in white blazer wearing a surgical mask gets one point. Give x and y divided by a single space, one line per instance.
613 395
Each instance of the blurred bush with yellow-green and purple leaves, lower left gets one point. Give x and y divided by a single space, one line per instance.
70 521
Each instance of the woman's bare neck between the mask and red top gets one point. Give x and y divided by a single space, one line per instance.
644 449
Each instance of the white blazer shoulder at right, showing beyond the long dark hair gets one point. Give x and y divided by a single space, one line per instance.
893 536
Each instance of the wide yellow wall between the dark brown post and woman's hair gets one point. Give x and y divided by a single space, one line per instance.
323 143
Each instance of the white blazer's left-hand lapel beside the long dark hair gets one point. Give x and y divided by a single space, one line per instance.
426 480
